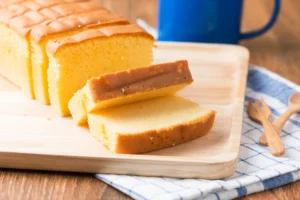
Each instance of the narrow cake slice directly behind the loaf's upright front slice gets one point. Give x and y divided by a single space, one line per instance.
65 19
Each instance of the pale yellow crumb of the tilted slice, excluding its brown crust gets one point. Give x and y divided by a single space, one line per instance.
82 102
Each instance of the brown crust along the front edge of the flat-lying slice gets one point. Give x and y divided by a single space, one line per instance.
157 139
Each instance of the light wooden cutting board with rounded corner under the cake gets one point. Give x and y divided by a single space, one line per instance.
33 137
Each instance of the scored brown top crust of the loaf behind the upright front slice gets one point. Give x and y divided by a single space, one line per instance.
54 16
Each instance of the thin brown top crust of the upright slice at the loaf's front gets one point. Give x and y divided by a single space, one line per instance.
130 29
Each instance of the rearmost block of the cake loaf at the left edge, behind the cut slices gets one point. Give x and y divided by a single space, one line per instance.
17 19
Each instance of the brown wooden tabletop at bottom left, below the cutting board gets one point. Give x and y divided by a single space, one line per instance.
15 184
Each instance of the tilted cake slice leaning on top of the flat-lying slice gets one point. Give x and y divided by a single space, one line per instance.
129 86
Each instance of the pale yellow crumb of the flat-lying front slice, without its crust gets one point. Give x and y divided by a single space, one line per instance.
161 113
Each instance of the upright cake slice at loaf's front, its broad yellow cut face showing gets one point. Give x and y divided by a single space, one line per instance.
74 60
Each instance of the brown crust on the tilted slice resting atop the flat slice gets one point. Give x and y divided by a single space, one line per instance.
141 79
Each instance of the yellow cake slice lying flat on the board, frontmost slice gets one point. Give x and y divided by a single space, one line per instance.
150 125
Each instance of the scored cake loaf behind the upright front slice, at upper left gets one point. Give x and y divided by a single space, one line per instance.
26 26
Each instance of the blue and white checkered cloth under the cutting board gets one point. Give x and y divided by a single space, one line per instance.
257 169
